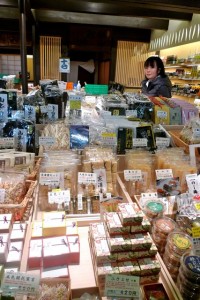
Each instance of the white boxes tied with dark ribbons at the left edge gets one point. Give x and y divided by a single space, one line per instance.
12 236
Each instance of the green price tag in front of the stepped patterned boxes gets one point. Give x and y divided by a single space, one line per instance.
122 286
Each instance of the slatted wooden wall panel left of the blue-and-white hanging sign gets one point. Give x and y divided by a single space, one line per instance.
50 52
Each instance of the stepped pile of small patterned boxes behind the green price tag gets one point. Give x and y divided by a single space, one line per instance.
121 245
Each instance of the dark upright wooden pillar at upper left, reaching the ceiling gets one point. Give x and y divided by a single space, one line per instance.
23 50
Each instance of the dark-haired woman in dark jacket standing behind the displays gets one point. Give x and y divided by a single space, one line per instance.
156 82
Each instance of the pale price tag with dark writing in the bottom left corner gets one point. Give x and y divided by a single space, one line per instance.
20 283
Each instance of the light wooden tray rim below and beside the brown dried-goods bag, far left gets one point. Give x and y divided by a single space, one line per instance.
18 209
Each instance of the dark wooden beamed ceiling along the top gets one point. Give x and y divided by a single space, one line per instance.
143 14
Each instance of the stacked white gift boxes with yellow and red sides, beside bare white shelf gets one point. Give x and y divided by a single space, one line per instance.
54 243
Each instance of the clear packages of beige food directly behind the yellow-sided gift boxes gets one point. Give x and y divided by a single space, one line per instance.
60 175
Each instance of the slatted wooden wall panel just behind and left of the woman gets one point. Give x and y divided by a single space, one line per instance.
129 64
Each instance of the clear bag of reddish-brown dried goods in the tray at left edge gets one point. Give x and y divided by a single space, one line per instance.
13 187
